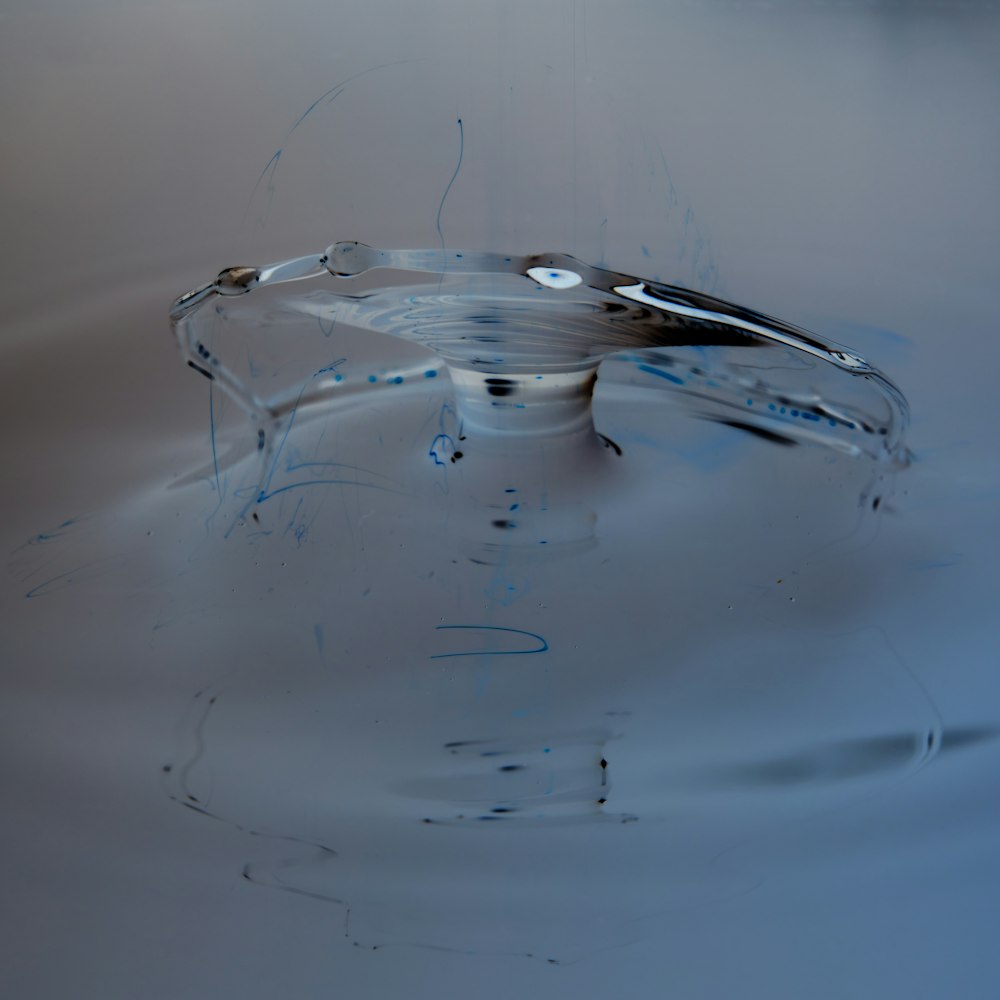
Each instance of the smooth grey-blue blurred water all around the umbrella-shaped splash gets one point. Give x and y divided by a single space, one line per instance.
246 758
